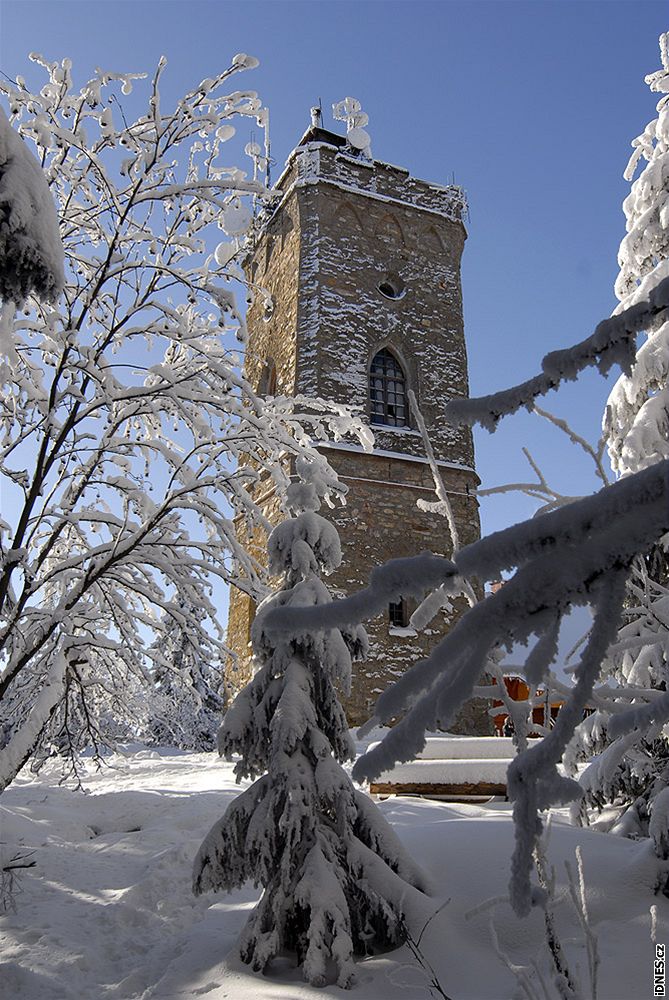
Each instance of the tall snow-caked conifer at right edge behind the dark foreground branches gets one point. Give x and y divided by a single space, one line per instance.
631 770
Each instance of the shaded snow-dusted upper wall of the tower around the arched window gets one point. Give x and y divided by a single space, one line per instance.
350 243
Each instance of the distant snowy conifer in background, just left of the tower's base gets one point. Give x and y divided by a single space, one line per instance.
187 703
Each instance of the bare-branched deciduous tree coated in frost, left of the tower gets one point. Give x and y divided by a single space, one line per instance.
129 440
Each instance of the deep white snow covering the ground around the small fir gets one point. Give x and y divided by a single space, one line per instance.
108 911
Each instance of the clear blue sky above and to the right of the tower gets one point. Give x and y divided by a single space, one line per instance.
531 106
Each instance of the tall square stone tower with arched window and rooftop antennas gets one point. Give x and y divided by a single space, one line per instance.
362 262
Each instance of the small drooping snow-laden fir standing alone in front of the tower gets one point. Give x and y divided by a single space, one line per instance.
334 874
